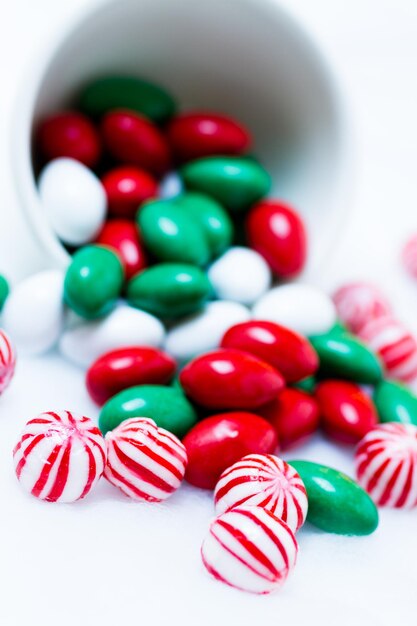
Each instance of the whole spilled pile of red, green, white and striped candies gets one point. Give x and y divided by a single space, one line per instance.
201 370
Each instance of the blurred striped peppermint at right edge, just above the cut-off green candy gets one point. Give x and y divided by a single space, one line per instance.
395 345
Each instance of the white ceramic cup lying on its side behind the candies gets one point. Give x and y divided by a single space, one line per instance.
247 58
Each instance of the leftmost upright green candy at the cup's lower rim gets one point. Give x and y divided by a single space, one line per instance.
93 281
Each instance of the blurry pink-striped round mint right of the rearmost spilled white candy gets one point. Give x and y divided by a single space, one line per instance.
358 303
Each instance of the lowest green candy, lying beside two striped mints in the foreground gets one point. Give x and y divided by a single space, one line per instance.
336 503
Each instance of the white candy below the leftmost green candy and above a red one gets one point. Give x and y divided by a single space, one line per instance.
123 327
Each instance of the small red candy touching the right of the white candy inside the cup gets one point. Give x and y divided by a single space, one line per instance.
127 188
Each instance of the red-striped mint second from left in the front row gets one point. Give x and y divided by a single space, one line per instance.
144 461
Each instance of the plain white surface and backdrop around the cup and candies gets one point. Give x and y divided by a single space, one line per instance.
107 561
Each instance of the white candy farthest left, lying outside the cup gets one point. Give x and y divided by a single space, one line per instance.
33 314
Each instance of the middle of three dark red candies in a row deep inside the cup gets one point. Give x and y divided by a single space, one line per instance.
133 139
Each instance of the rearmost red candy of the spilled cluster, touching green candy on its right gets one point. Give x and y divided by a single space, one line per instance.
289 352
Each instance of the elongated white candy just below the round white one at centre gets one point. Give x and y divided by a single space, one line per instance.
203 331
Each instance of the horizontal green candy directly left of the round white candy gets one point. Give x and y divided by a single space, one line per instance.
169 289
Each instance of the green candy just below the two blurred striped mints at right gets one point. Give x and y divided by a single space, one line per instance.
344 356
